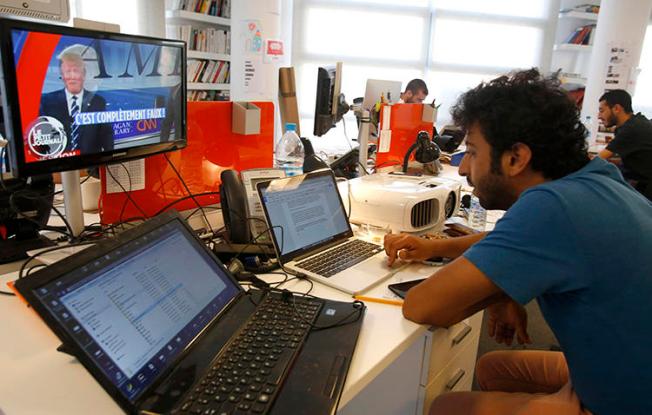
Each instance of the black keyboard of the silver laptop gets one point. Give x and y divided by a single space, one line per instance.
342 257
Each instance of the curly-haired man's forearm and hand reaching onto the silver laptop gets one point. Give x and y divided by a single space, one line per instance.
410 247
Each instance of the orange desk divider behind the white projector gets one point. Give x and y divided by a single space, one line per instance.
405 123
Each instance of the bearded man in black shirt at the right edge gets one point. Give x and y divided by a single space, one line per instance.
632 140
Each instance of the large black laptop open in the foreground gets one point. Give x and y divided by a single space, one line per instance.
160 323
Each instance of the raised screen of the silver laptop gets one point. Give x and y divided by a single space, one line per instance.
304 212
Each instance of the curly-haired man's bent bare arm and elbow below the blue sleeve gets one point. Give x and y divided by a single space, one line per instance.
456 291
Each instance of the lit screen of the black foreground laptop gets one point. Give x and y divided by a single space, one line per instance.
134 310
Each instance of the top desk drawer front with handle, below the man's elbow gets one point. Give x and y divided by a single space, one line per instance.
446 343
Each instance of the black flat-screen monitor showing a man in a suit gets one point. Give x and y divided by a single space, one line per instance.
76 98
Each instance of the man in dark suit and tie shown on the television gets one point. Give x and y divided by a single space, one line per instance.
73 99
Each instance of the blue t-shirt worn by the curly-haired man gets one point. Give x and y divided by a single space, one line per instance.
582 246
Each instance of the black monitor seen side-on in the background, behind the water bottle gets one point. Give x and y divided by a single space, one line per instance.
330 105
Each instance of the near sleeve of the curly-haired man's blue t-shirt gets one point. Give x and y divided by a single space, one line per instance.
532 249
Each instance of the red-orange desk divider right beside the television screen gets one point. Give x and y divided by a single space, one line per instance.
212 148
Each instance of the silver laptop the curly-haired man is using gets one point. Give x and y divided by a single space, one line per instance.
312 235
